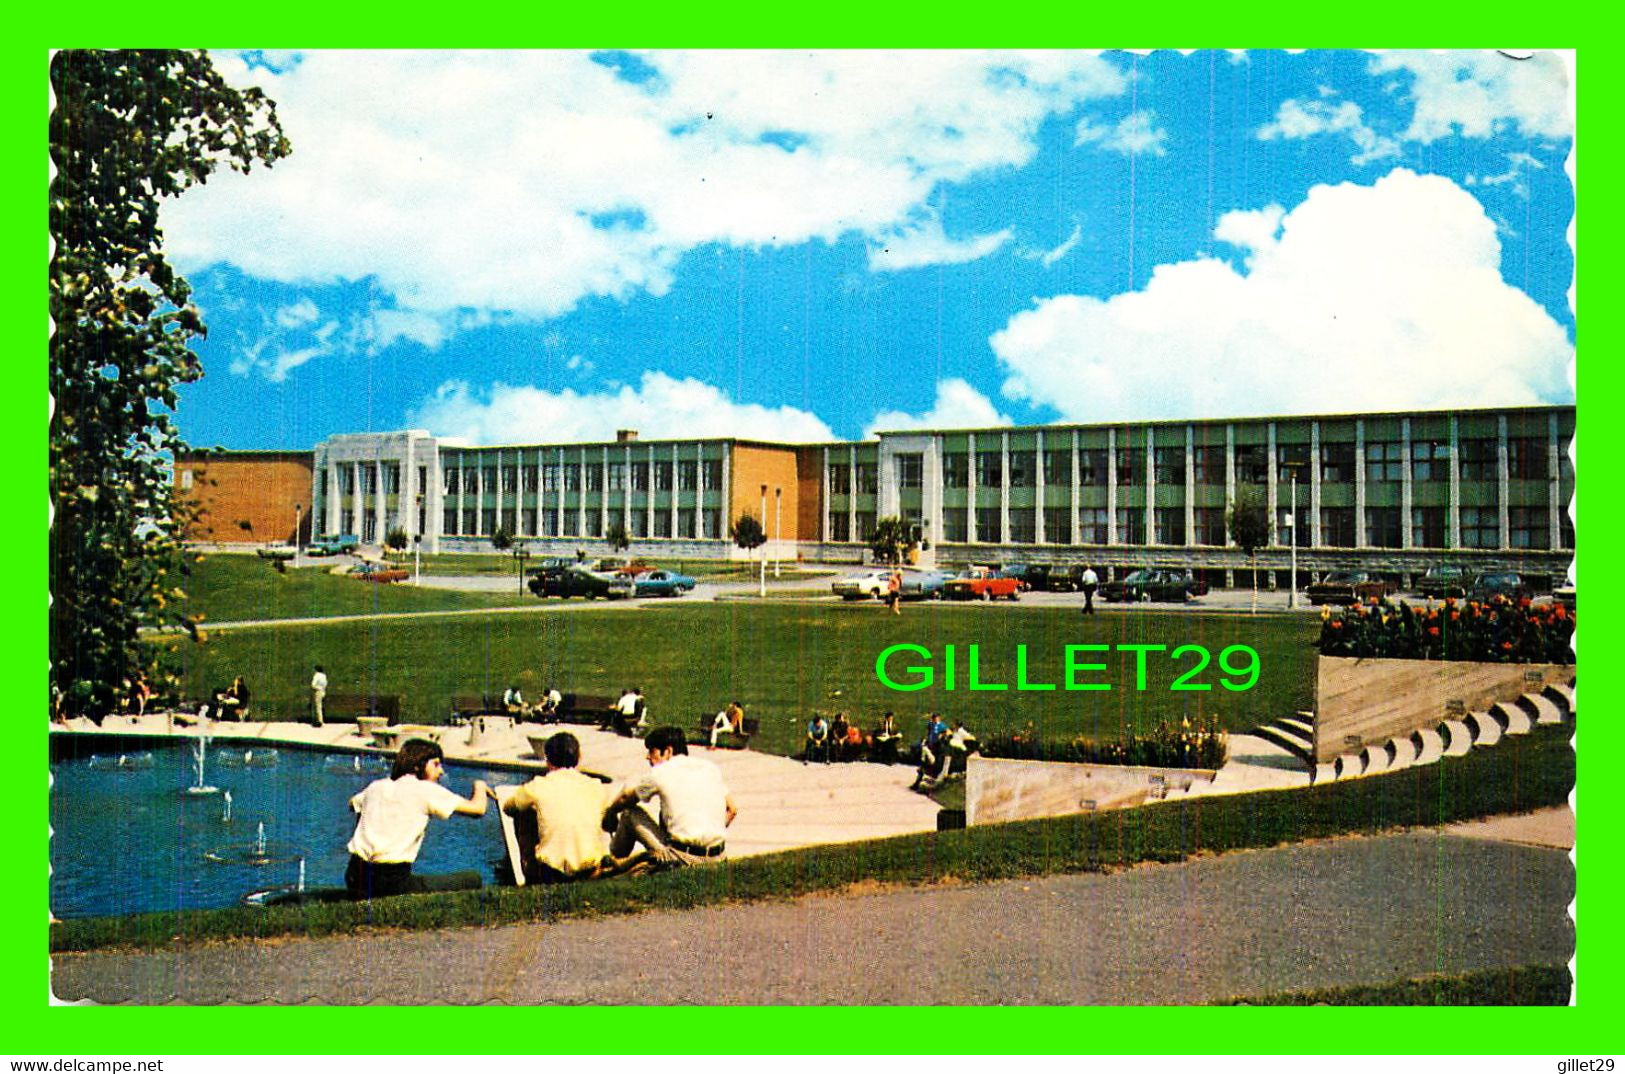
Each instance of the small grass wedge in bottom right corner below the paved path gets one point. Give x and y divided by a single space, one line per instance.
1527 987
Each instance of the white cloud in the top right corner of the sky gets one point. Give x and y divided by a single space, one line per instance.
1481 93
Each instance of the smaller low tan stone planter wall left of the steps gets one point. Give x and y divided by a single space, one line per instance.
1000 789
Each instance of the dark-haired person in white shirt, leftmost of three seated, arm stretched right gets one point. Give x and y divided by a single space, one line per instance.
394 818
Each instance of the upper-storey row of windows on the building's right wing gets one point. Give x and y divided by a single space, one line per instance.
1385 461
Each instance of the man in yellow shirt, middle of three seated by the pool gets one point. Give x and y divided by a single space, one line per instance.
570 810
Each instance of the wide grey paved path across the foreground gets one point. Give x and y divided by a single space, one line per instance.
1340 912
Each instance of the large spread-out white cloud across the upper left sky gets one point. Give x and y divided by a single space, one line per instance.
522 183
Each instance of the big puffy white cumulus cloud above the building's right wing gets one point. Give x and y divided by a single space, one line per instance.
1364 298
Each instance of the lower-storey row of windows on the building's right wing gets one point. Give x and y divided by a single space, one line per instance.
1528 527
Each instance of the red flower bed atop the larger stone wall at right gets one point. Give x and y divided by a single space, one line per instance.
1494 631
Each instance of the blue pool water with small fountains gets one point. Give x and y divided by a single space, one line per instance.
128 838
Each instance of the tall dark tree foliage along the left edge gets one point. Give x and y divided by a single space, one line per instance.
129 129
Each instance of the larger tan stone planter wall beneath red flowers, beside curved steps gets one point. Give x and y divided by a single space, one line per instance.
1366 703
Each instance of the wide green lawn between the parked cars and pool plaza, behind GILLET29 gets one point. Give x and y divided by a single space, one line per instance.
782 662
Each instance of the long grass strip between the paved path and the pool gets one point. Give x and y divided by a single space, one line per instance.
1522 774
